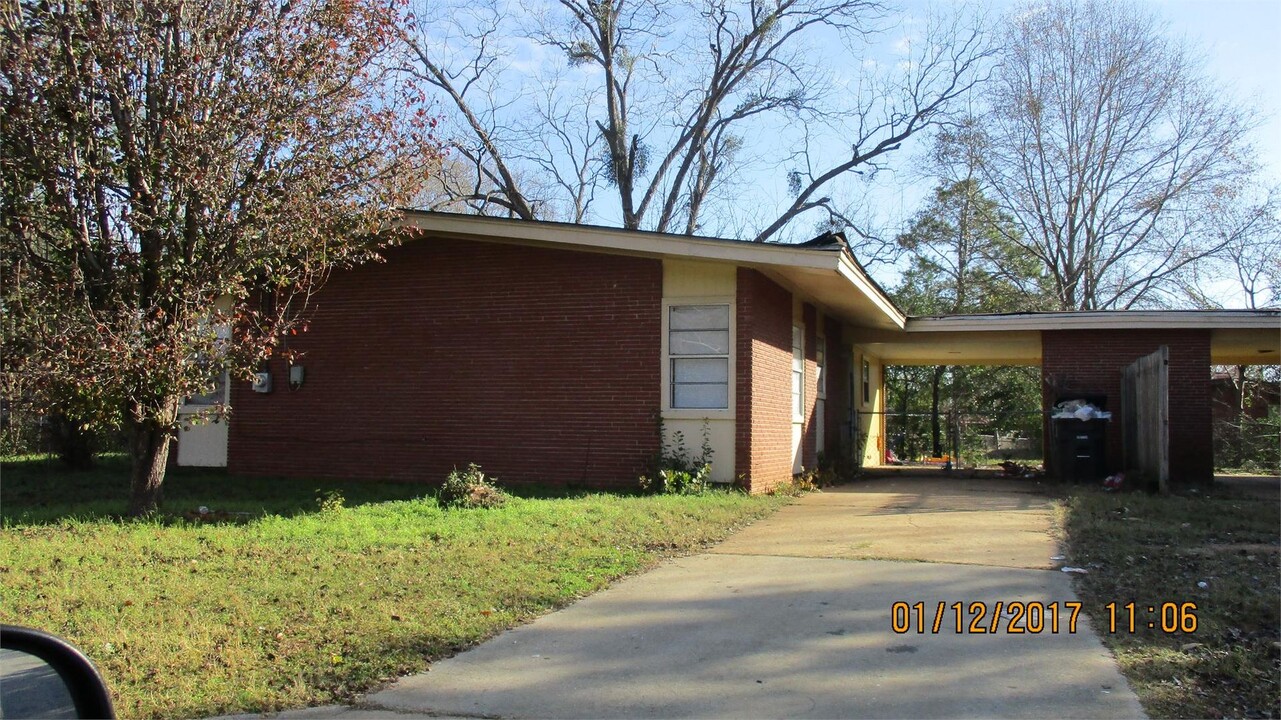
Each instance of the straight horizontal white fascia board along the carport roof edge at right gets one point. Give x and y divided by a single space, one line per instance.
1118 320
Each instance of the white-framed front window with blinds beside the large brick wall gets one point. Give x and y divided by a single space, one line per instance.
699 352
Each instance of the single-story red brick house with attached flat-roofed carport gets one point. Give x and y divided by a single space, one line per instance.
564 354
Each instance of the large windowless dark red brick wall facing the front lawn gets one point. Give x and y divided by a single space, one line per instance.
541 366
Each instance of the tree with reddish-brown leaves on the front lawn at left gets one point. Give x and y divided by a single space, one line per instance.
175 168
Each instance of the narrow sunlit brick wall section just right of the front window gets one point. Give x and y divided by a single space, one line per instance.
763 444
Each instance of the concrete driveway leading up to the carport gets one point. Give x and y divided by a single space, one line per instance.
792 618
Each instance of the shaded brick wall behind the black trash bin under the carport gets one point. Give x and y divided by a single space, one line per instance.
1092 362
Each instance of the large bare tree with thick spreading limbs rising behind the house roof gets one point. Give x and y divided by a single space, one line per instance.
677 92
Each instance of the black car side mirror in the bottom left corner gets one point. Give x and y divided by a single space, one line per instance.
43 676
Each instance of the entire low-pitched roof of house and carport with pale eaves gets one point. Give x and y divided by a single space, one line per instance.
827 272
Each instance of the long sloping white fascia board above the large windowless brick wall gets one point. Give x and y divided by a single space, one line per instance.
632 243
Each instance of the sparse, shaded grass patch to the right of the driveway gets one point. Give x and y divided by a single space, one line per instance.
1155 550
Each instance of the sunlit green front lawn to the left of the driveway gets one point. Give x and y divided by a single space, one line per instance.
297 605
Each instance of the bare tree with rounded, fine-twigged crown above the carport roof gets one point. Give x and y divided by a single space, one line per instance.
1106 143
